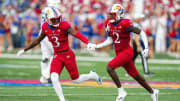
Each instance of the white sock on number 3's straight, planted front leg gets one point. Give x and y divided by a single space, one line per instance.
57 86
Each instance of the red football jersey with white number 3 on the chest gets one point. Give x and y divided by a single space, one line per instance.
57 36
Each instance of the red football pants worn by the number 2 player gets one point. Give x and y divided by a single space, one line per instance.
124 59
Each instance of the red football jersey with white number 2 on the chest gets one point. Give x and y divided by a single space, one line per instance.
119 34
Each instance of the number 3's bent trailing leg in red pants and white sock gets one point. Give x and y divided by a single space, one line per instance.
71 67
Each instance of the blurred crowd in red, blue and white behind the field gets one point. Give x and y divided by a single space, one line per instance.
160 19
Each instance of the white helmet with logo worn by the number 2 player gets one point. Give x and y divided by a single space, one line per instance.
115 13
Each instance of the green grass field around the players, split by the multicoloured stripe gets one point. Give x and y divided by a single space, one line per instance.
29 69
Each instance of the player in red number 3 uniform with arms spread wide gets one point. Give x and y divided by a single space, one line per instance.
57 32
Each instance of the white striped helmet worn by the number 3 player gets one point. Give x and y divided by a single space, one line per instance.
53 16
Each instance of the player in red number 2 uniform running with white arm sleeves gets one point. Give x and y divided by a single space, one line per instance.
118 30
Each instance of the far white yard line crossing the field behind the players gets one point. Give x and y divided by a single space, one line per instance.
98 59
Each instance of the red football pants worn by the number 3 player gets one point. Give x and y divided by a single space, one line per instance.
66 59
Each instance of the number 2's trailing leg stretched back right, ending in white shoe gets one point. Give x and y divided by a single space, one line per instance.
132 71
